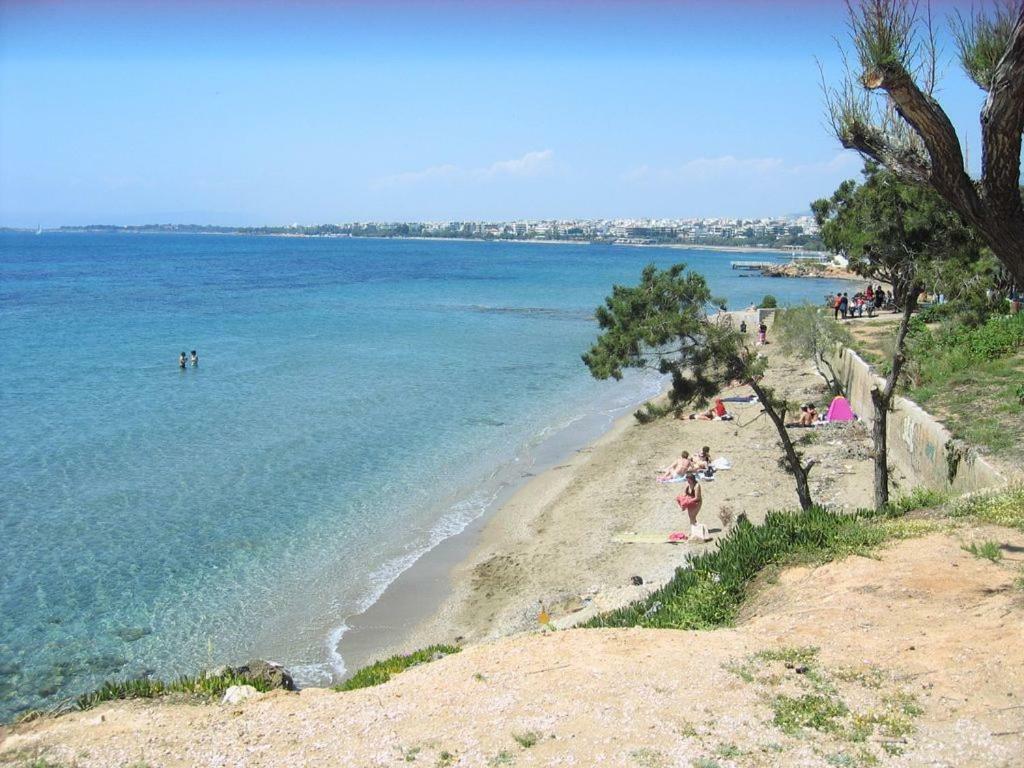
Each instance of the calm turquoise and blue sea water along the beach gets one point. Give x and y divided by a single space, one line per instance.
355 402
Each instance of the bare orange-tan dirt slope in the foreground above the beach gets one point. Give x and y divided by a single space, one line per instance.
926 621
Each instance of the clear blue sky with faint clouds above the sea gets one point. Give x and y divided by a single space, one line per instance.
250 113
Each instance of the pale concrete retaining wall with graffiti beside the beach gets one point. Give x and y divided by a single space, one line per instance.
921 448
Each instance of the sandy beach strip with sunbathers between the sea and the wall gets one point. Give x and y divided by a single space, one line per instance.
554 543
